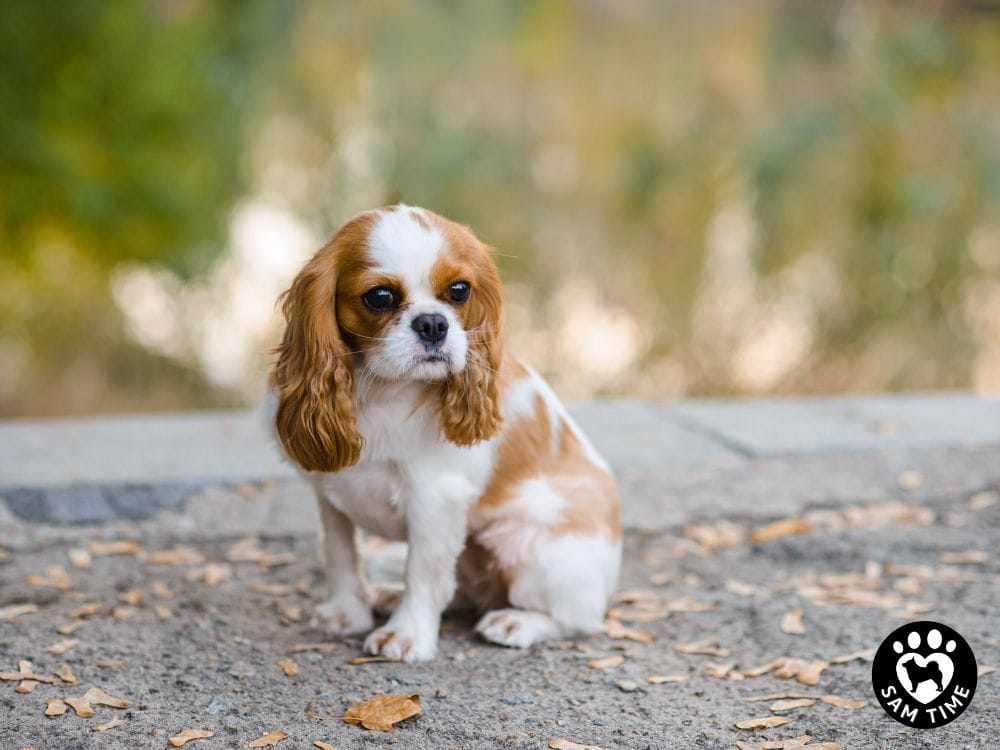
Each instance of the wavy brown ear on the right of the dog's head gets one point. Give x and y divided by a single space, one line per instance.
470 402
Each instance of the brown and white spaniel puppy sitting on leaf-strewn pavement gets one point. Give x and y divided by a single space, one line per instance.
394 398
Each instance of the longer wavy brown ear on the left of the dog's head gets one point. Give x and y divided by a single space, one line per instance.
313 377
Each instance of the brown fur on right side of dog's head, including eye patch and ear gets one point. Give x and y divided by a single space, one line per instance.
470 400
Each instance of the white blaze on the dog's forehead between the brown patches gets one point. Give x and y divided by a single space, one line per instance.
401 246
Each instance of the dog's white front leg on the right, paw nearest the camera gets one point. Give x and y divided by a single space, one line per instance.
436 516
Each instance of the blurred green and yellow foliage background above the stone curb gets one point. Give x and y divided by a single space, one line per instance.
689 198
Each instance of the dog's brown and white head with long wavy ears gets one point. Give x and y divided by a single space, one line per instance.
398 294
